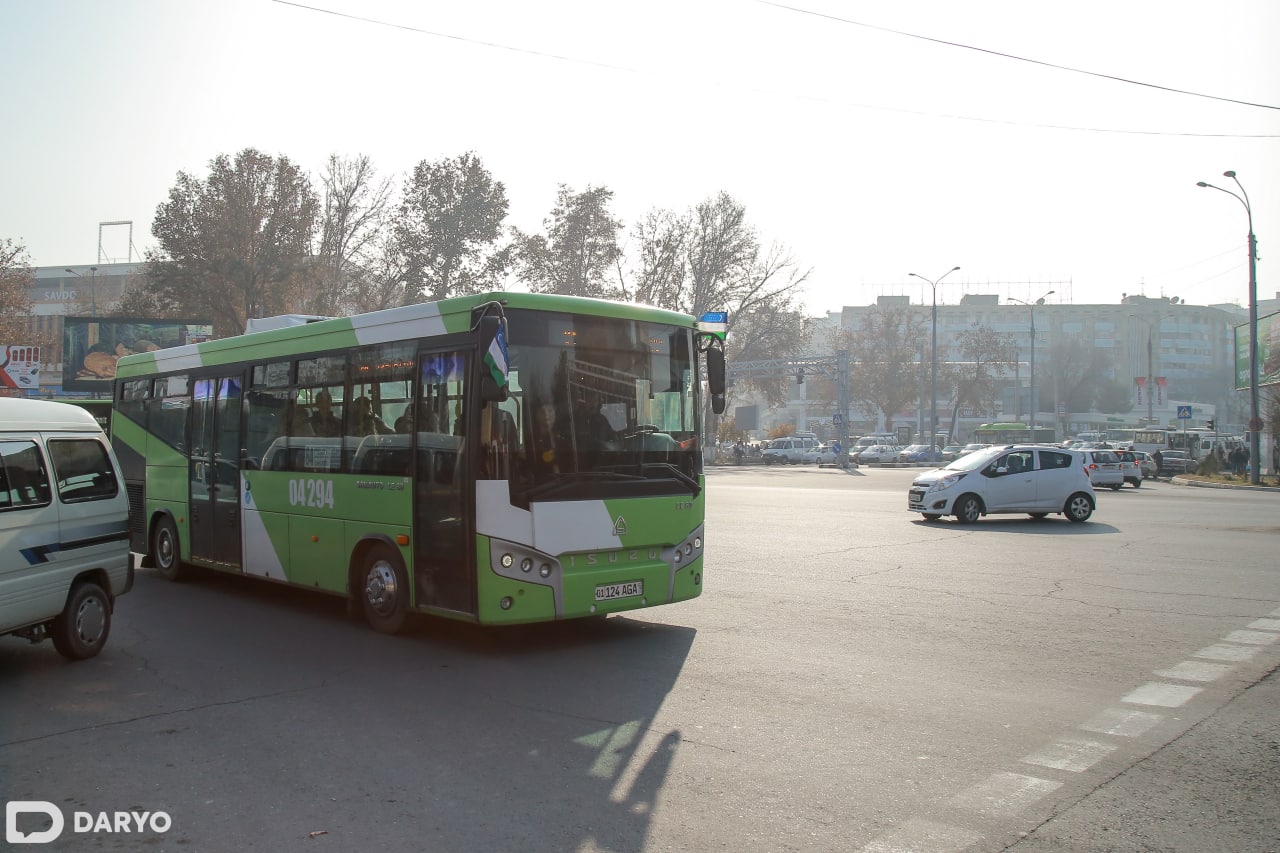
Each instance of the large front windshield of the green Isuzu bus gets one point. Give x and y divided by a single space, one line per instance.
598 408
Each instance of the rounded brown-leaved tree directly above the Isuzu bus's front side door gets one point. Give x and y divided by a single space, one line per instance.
449 230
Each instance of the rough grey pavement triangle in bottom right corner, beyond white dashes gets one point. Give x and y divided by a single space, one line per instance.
1214 790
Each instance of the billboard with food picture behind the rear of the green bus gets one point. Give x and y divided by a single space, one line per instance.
93 345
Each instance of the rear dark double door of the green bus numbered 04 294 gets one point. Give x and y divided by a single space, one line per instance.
214 467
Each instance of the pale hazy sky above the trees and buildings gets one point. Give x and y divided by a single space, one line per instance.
872 140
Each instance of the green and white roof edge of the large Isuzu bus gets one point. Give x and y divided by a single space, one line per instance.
422 320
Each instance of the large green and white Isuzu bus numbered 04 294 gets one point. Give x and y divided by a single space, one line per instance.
499 459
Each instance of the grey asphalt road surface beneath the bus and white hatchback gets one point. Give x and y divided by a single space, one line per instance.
853 679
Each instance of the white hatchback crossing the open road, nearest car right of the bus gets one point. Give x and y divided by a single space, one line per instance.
1020 478
